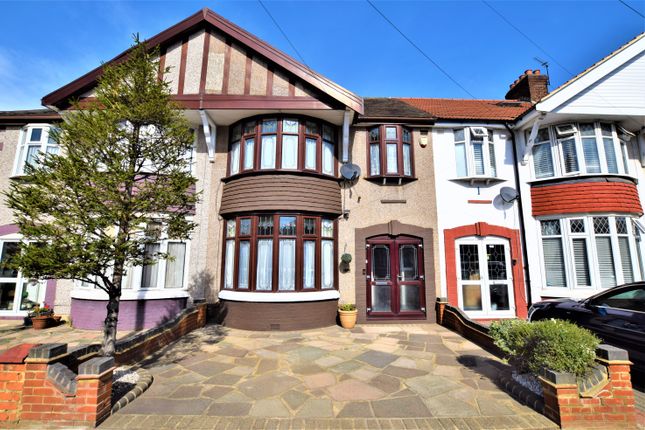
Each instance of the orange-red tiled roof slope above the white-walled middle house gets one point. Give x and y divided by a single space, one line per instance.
495 110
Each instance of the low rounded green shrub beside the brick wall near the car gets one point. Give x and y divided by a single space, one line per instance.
550 344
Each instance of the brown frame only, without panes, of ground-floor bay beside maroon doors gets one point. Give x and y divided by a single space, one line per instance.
300 238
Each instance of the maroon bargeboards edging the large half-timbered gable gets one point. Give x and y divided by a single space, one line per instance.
201 19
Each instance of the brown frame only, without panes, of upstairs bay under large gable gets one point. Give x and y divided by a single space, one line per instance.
302 134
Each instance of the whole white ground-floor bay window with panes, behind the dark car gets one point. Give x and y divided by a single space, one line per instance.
589 252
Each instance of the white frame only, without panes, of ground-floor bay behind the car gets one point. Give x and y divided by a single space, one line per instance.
571 289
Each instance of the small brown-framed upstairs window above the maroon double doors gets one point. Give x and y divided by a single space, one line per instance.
390 152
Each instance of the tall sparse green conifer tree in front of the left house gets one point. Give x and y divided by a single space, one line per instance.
86 213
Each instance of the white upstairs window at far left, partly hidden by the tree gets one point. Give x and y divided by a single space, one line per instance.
35 140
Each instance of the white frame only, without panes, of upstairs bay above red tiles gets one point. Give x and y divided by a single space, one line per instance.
558 158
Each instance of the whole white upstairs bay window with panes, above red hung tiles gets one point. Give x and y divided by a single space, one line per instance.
579 148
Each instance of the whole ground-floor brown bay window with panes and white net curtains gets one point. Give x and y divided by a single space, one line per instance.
279 253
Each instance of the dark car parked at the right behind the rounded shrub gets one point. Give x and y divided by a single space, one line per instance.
616 315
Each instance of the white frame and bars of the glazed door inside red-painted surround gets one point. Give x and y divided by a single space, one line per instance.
484 281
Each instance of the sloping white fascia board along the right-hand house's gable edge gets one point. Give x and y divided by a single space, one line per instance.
589 77
